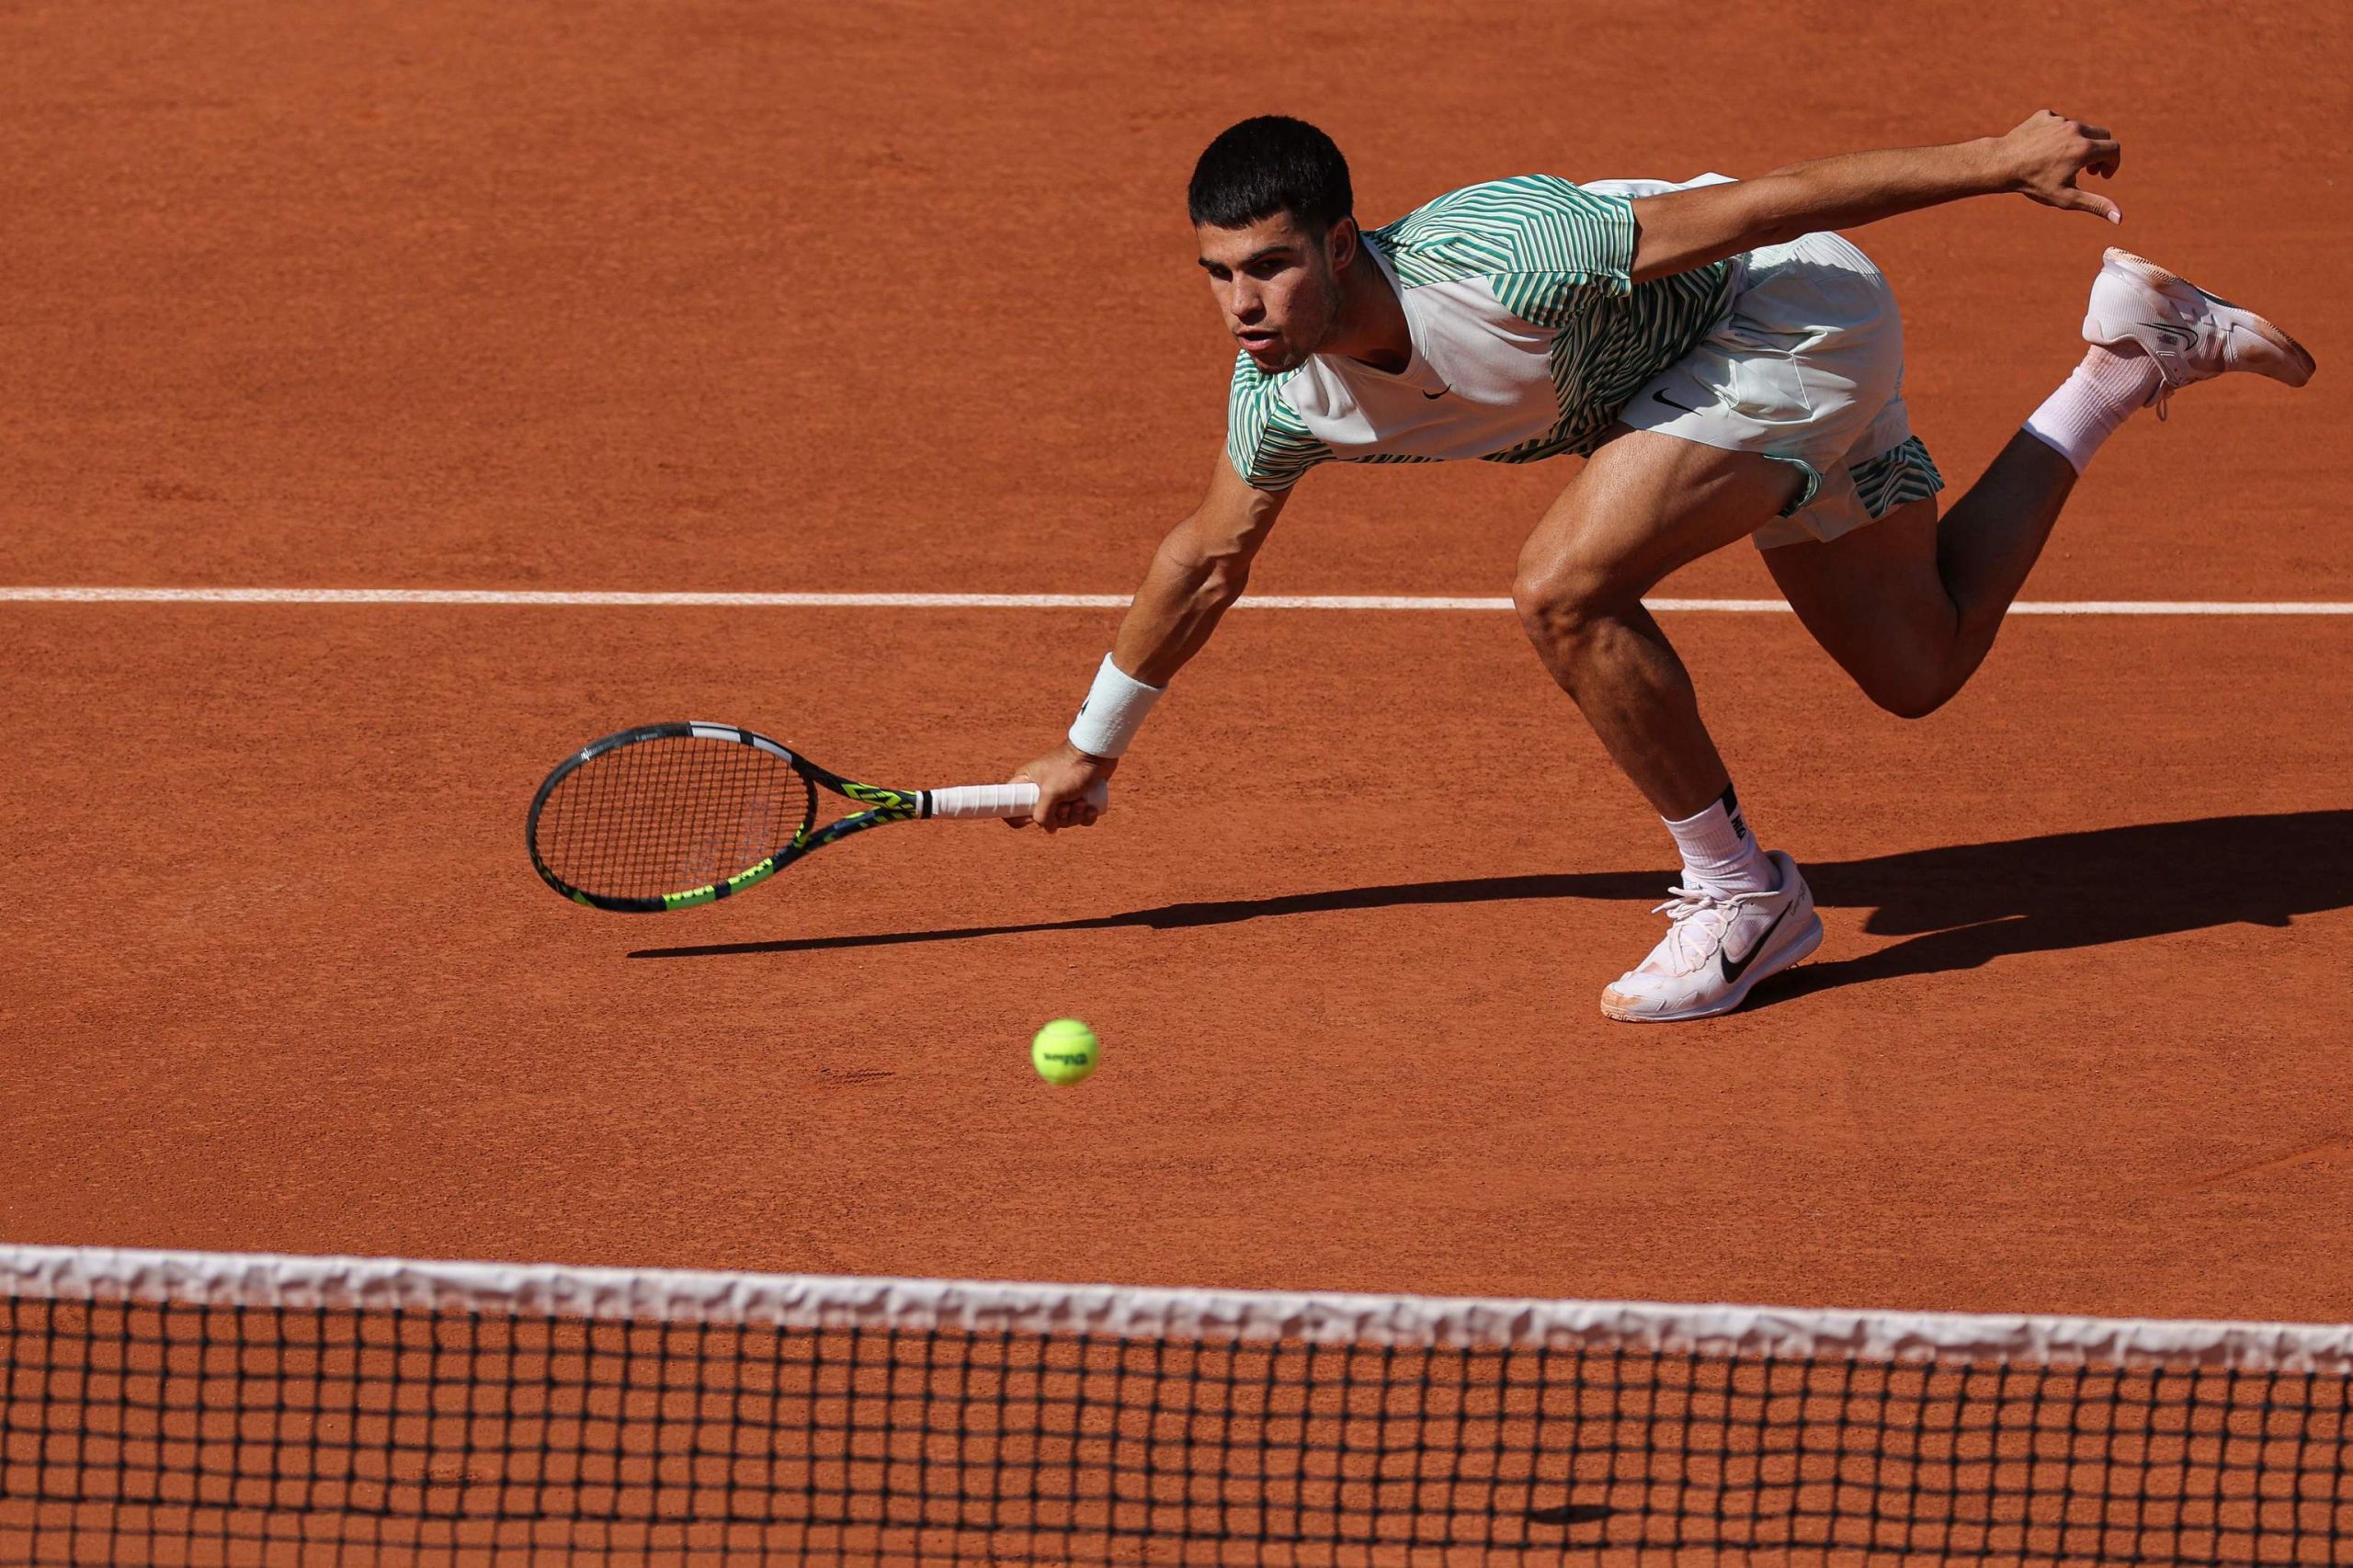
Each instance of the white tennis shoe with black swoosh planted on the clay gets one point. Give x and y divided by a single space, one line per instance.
1717 950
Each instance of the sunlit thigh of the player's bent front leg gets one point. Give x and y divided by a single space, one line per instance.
1644 507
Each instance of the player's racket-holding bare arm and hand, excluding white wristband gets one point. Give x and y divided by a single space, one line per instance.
1194 578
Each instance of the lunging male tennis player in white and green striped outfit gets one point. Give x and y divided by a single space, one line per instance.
1728 368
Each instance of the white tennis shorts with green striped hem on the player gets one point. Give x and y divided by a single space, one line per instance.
1806 368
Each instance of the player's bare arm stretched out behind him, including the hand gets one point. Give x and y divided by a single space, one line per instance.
2041 159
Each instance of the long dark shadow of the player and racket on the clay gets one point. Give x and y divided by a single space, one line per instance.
1957 908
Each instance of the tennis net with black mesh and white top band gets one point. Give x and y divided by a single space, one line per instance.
239 1409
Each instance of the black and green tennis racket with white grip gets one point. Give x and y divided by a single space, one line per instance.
679 816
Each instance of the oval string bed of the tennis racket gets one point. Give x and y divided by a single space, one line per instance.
669 816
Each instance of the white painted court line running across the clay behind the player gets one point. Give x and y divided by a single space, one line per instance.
1034 602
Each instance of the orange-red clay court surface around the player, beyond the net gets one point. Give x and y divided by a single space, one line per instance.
902 298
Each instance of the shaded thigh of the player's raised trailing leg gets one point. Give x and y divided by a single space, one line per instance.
1874 602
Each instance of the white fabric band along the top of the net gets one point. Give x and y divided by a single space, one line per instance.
1126 1313
